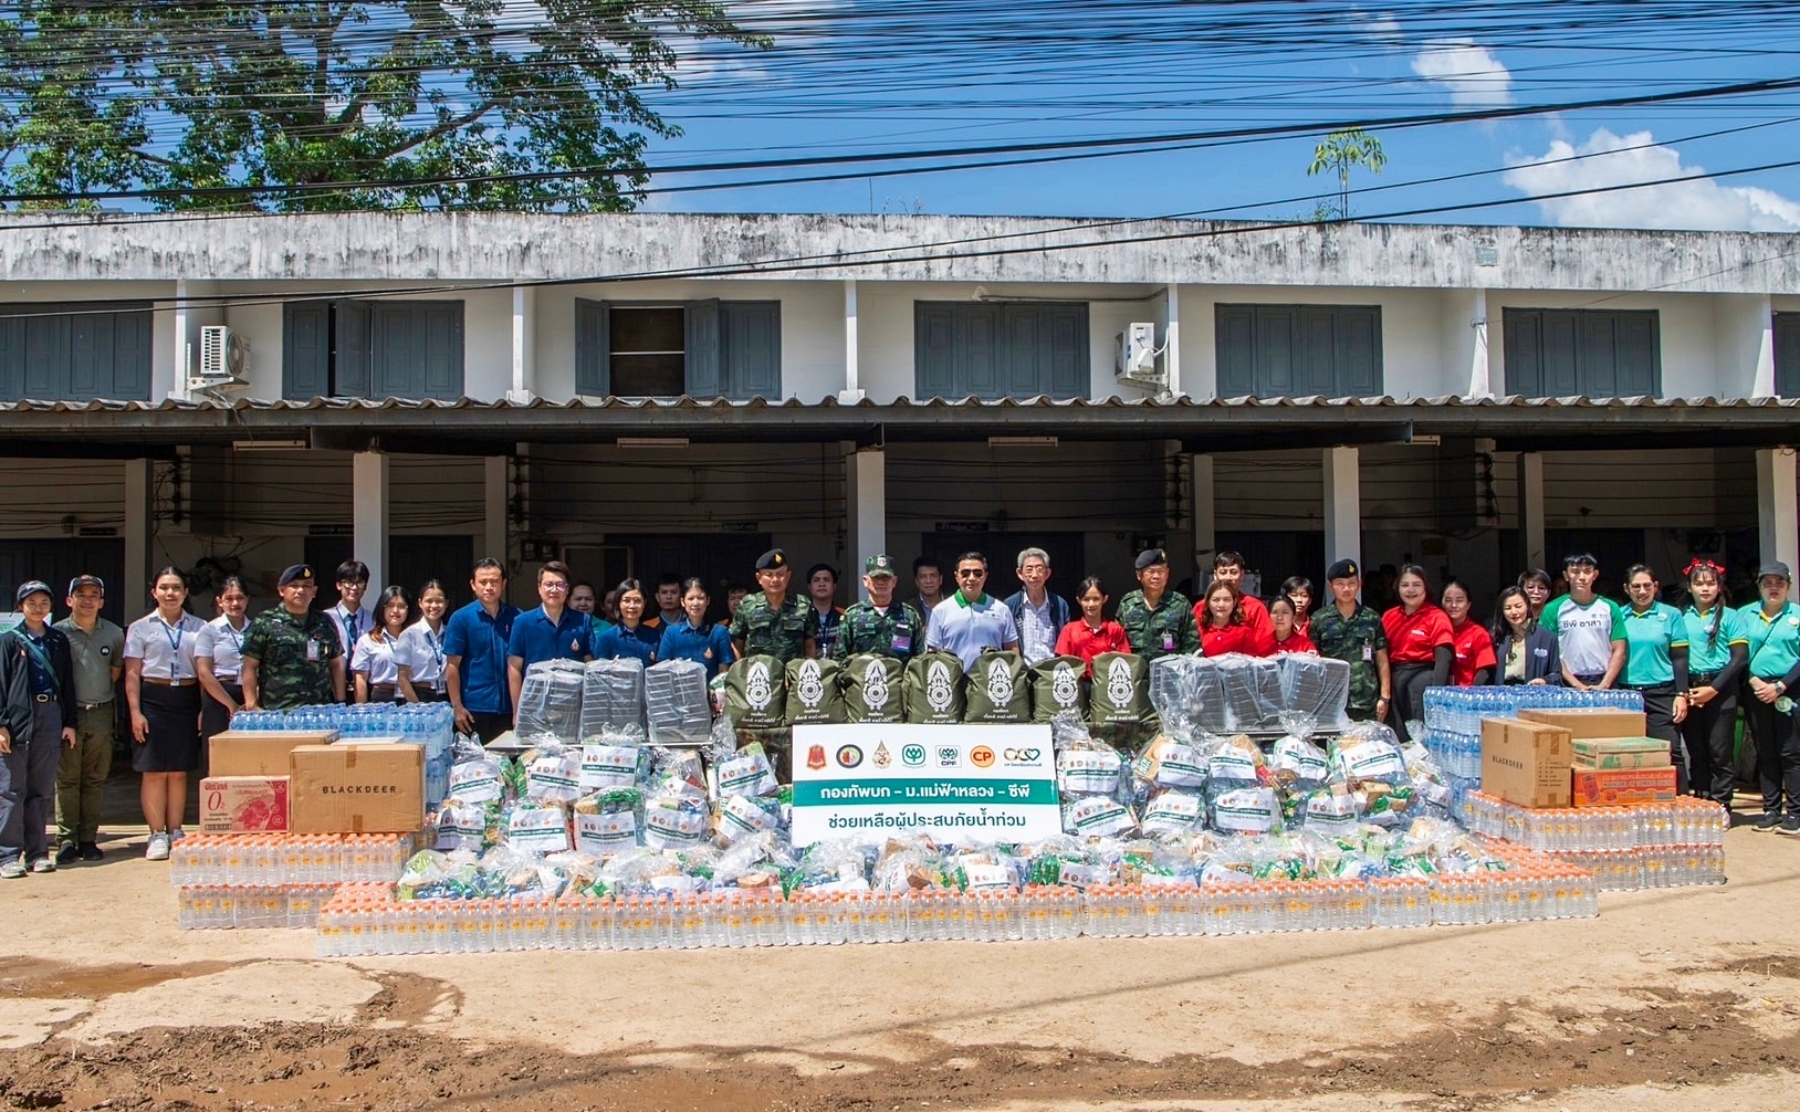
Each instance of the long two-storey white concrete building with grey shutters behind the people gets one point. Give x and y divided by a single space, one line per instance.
678 393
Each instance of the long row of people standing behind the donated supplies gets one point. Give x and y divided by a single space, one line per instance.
186 677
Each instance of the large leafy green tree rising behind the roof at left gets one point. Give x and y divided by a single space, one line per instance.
402 94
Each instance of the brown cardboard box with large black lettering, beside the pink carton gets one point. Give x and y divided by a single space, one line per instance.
357 789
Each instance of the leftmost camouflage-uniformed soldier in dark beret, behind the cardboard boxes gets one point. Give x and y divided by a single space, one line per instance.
292 656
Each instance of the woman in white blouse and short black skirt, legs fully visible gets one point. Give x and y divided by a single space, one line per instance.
163 690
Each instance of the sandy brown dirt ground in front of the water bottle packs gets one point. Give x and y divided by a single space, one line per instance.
1673 1000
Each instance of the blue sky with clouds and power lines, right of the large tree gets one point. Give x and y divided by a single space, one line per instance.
850 76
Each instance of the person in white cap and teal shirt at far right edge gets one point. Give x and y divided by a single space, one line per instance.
1772 629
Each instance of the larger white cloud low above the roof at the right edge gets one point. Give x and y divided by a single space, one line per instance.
1696 202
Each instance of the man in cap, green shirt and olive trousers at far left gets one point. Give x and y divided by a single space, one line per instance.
98 652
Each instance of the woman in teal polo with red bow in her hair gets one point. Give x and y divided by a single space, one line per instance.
1718 654
